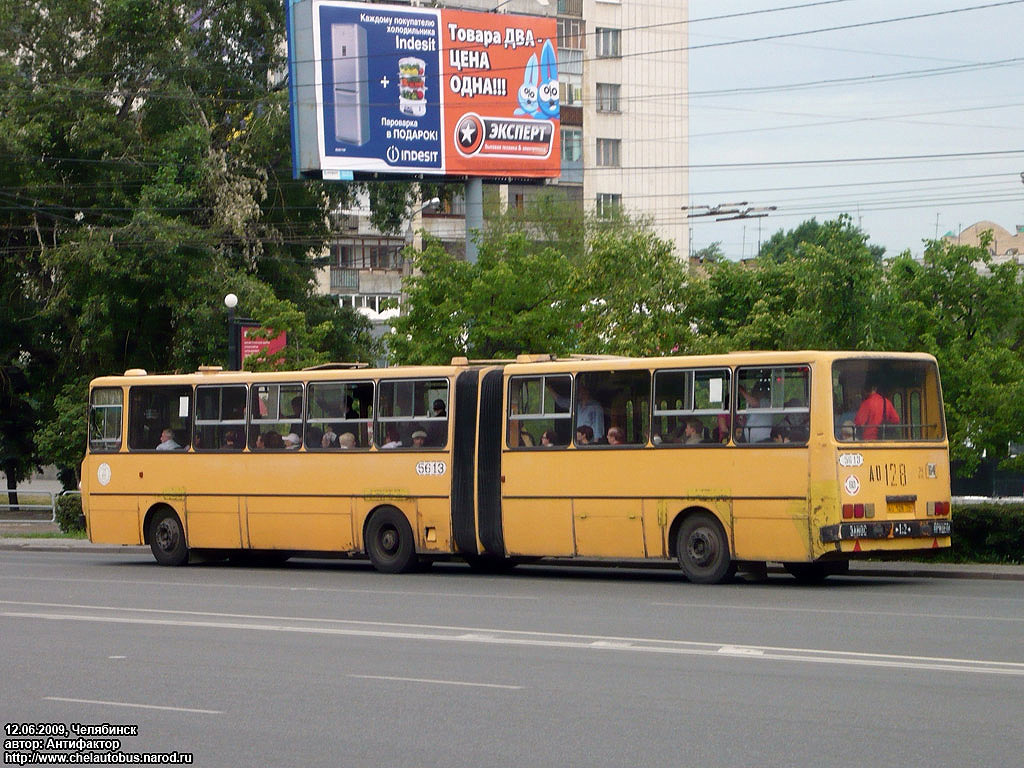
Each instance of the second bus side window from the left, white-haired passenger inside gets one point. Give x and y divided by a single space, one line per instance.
156 412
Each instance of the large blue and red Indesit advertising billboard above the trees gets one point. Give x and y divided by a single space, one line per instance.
383 90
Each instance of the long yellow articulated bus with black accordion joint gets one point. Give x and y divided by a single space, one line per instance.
808 459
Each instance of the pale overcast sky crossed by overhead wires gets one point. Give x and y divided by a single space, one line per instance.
902 112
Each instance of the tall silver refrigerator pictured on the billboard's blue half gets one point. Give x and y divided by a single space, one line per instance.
352 103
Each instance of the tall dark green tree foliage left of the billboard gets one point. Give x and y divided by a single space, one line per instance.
145 173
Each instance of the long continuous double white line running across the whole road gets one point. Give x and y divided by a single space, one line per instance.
487 636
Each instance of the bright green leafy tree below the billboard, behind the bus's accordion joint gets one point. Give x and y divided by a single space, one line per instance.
544 285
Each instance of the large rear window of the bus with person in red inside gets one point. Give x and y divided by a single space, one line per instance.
887 400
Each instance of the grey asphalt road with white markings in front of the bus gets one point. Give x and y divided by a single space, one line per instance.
323 663
